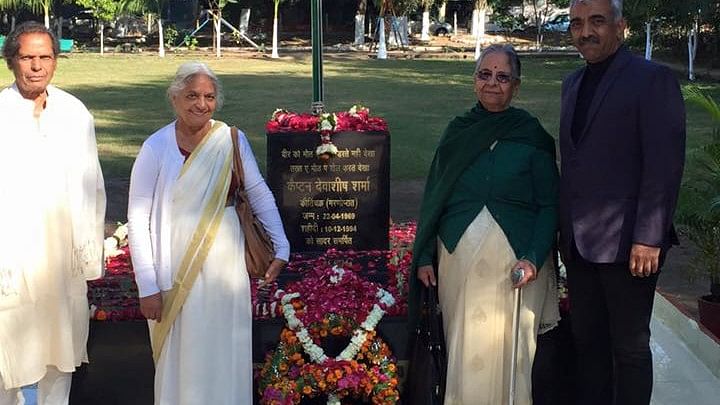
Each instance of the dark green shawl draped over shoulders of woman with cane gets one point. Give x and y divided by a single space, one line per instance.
464 139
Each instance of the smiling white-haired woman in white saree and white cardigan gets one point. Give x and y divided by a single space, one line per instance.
187 243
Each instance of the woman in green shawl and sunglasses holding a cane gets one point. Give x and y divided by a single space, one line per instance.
489 207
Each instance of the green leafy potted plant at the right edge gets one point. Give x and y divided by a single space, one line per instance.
699 212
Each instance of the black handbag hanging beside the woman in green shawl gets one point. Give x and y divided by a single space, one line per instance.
427 369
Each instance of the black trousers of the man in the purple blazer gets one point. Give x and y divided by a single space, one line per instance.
611 313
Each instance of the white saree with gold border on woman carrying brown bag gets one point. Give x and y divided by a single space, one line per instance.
206 356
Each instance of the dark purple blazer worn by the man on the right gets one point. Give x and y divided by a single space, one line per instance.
619 183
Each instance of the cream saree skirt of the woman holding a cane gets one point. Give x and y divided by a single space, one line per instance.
476 298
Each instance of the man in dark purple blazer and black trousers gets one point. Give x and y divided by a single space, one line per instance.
622 142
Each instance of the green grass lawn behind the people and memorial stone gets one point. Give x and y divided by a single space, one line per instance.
126 94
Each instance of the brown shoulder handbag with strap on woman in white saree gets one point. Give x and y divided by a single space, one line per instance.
258 246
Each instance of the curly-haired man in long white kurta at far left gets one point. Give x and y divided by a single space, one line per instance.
52 207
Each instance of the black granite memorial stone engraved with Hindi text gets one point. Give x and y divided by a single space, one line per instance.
342 202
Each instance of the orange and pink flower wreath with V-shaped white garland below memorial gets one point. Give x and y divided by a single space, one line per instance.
299 367
